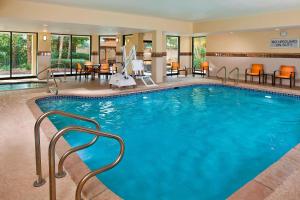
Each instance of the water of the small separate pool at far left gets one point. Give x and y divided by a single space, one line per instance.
21 86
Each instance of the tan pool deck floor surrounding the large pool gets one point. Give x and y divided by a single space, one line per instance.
17 172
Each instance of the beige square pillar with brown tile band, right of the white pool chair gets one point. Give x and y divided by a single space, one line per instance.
158 56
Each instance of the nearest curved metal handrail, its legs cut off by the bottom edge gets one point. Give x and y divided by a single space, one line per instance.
51 154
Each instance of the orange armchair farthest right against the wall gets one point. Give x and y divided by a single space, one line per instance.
286 72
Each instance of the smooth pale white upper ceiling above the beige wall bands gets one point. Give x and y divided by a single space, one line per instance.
189 10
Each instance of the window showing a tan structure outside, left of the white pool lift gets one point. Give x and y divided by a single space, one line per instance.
107 46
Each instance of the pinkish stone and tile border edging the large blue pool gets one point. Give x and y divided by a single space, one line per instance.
257 188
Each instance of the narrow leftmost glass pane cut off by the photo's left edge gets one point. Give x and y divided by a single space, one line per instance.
4 54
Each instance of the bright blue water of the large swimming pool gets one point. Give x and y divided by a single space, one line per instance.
198 142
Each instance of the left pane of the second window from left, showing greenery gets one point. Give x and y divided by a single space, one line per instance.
61 53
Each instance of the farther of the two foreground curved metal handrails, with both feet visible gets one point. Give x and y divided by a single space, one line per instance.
41 181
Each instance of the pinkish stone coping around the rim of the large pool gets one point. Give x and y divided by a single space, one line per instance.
257 186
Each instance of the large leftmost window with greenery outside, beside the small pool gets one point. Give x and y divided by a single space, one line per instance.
17 54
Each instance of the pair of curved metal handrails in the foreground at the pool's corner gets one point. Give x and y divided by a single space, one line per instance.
51 152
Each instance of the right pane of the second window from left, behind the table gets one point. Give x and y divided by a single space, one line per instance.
81 50
